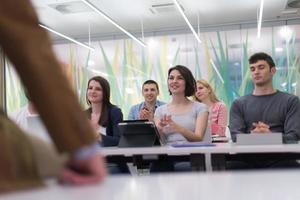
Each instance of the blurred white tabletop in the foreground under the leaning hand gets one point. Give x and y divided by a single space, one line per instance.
259 185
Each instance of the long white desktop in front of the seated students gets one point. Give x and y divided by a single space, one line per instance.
219 148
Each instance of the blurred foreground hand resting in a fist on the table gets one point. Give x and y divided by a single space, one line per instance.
86 171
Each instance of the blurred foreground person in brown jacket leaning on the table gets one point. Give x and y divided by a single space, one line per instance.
53 98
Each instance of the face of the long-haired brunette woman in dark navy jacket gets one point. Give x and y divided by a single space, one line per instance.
95 92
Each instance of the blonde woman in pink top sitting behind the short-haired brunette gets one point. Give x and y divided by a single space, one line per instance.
217 109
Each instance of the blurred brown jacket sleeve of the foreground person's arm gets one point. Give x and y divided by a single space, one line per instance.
28 47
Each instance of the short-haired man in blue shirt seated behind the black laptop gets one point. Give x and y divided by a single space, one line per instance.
146 109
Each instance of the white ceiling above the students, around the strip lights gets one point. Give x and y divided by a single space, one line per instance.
131 13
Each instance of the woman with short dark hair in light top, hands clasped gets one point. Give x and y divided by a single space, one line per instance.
182 120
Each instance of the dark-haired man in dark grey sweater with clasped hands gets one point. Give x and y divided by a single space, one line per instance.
266 110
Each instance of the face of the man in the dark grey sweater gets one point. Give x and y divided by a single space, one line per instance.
262 73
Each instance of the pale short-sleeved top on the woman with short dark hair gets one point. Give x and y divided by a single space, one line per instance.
187 120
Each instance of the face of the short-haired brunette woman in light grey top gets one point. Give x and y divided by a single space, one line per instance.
176 83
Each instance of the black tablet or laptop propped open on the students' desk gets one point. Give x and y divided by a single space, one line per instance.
139 133
